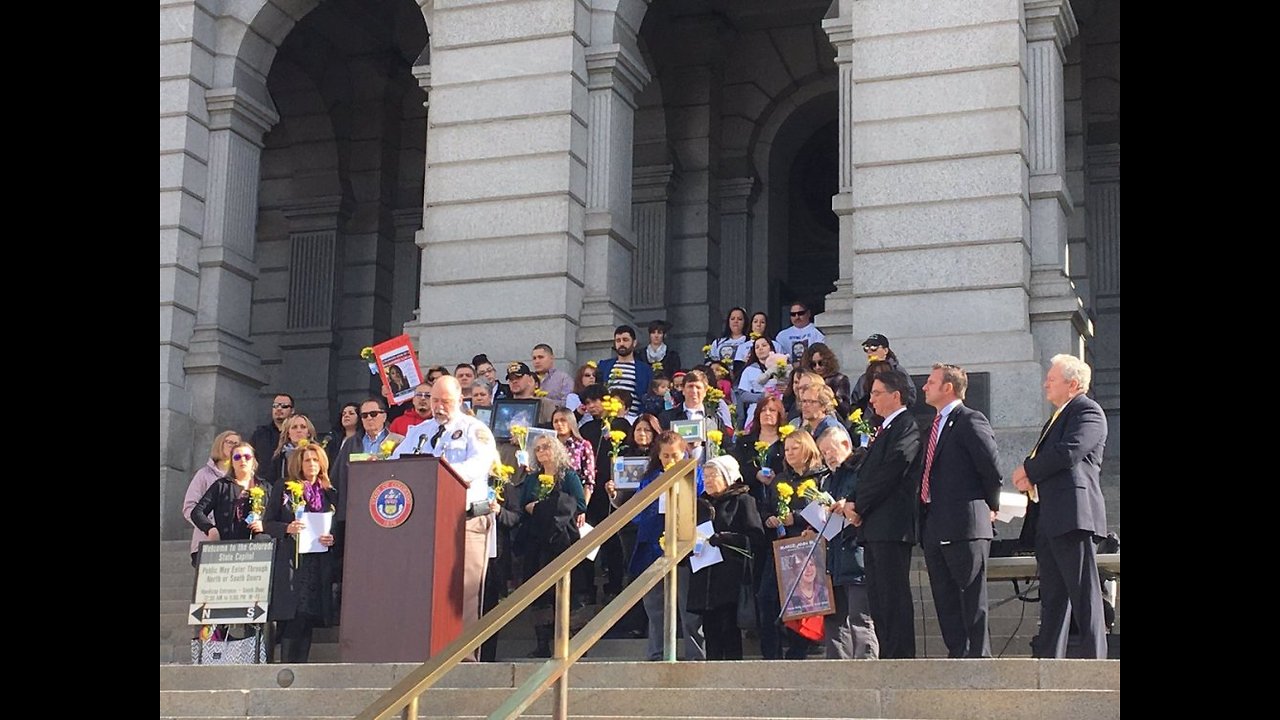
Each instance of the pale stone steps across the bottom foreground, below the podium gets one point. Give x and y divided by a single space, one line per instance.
958 690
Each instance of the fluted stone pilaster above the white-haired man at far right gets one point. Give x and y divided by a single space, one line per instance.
1057 313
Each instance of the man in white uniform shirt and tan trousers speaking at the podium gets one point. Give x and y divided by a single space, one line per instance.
469 448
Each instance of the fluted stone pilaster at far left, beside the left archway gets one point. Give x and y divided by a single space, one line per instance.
223 372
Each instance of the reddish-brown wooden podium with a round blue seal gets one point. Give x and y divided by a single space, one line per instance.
403 578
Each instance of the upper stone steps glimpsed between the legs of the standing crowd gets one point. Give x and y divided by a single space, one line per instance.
1013 622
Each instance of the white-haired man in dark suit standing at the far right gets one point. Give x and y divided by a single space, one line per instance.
1063 473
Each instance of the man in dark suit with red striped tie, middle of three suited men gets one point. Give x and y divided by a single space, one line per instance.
959 490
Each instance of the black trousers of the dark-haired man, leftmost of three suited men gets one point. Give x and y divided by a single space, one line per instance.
889 589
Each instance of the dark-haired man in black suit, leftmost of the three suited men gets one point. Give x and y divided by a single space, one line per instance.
884 509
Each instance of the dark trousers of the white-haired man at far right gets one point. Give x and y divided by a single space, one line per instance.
1069 589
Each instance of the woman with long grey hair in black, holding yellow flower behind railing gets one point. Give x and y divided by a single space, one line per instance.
552 509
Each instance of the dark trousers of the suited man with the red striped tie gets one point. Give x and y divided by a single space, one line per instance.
958 576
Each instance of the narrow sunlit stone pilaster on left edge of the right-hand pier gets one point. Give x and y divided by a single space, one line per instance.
838 317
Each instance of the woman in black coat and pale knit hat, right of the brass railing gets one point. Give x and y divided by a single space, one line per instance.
714 593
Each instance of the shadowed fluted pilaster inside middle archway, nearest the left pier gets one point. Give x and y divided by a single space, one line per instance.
650 222
